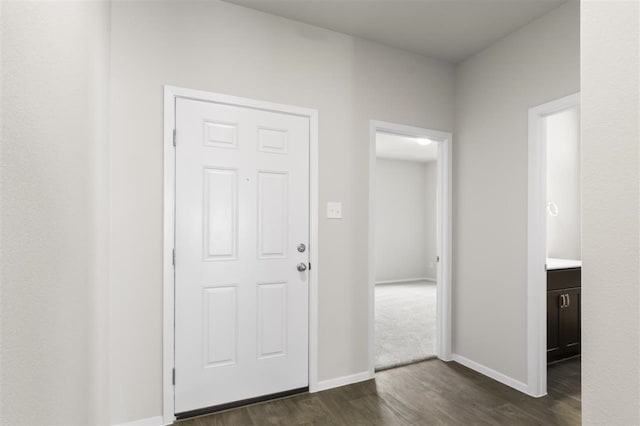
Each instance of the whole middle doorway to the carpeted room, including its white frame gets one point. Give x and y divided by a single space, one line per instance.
409 245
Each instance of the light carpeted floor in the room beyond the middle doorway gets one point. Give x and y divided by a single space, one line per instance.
405 323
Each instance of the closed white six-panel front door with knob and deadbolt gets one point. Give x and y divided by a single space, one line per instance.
242 216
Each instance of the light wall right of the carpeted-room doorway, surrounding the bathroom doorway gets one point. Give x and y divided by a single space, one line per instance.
494 90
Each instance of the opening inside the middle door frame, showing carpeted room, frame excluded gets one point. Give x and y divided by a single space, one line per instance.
406 274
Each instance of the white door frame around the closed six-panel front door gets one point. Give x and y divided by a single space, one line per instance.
168 278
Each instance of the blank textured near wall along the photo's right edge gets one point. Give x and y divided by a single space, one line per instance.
610 36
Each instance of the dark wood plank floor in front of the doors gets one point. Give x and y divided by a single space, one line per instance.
428 393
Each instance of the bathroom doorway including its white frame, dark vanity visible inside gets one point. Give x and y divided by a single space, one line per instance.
554 263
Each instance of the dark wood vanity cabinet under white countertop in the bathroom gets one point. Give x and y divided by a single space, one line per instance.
563 313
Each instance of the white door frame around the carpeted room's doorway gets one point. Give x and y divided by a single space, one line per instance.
443 233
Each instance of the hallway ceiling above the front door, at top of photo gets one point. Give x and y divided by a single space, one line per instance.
451 30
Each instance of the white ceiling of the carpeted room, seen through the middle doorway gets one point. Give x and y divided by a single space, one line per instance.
399 147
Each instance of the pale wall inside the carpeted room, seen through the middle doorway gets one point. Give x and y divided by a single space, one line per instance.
403 229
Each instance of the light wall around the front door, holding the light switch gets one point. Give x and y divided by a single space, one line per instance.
223 48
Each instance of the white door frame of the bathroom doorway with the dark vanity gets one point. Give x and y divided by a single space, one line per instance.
537 243
